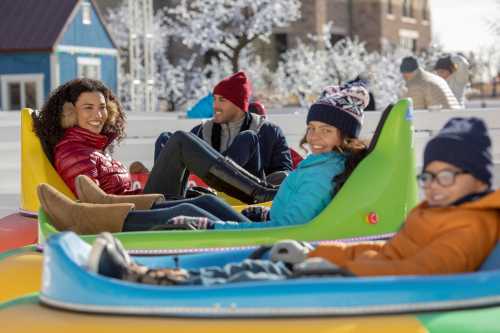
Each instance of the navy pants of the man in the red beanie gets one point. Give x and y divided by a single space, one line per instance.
244 150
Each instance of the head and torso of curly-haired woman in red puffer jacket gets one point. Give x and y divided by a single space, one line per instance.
77 126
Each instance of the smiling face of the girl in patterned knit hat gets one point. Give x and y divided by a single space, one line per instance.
321 137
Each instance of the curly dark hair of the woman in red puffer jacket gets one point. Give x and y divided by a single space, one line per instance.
47 124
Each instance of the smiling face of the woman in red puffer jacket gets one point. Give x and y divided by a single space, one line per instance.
91 111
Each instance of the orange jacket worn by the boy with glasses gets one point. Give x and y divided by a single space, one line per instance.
432 241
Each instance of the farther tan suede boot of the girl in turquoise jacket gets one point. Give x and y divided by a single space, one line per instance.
88 191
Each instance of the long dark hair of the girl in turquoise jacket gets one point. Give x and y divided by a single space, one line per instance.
354 150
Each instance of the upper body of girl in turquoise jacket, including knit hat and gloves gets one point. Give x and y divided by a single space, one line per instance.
333 125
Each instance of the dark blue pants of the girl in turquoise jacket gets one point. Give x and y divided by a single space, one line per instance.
207 206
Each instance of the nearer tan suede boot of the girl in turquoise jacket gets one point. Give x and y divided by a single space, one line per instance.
82 218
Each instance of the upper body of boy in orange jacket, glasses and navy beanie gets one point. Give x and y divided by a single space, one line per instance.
457 225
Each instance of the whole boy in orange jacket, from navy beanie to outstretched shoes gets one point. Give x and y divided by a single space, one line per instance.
452 231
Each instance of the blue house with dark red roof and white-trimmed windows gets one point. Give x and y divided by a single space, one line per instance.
46 43
